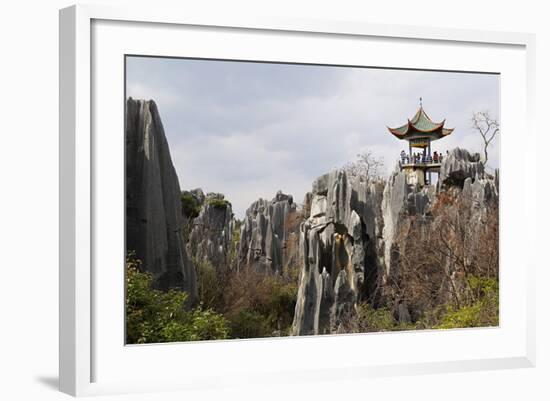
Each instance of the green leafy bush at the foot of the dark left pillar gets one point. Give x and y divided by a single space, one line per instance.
154 316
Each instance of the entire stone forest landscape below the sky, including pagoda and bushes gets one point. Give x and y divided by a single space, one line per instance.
360 253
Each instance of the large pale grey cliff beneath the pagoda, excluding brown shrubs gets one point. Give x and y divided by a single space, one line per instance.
351 241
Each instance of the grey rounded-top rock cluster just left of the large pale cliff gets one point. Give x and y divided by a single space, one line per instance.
268 235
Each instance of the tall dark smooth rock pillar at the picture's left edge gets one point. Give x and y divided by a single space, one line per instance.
154 219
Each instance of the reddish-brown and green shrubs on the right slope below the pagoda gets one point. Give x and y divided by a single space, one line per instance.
447 273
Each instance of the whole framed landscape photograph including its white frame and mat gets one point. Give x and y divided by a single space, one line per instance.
281 200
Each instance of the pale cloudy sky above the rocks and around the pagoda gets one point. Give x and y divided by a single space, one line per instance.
250 129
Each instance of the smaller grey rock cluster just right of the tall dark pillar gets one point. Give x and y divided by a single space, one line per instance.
210 239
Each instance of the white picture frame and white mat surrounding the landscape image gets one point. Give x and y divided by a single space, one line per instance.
84 355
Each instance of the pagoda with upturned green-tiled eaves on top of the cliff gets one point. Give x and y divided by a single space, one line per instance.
420 131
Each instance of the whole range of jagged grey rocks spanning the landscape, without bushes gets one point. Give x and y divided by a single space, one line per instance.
351 241
